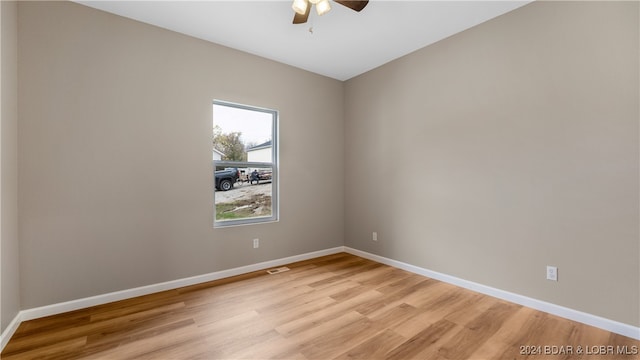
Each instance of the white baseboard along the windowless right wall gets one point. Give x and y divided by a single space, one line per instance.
567 313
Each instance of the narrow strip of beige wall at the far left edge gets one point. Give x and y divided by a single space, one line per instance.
9 246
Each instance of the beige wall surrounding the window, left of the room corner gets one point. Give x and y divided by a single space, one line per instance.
115 154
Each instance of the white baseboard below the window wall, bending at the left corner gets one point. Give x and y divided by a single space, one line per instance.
30 314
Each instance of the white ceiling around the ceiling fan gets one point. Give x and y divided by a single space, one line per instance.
343 43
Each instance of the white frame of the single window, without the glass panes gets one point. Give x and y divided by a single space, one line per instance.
275 215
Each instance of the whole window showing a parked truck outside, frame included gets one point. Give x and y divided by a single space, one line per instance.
245 153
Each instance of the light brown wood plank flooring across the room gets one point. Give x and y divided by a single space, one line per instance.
335 307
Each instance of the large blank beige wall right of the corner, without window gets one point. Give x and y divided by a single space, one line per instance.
506 148
